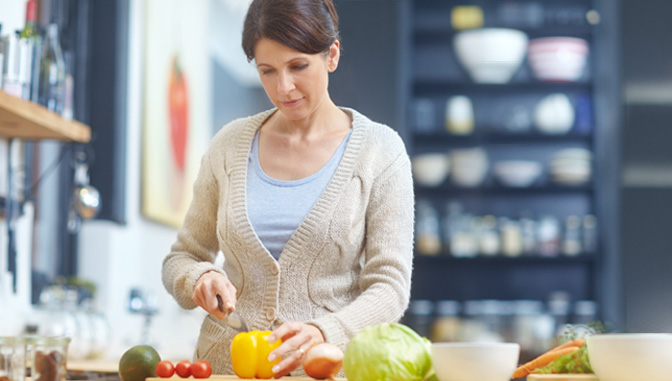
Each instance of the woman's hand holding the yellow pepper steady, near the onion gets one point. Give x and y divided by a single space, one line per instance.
297 338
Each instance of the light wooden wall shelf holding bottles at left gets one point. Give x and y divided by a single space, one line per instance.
27 120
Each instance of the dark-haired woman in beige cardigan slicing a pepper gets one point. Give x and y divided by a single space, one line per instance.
311 204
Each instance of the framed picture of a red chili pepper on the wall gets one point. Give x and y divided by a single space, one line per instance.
177 103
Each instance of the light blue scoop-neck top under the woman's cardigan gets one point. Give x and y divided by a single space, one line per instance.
276 208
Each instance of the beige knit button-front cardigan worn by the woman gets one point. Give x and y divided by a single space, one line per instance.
347 265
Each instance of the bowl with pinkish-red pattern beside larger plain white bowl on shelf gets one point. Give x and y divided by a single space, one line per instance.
558 59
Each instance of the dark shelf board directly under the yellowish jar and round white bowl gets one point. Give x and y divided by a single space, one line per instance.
488 136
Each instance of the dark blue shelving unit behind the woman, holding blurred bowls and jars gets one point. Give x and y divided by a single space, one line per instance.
436 75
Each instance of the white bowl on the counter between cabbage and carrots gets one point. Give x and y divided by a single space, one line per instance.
486 361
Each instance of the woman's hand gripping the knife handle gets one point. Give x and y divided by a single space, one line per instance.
208 286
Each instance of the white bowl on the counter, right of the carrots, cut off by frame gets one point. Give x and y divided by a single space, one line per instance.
631 356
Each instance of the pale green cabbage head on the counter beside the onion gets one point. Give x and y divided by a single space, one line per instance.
388 352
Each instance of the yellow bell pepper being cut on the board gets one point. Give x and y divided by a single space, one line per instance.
249 354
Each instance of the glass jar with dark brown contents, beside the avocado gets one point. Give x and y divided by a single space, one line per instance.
48 357
